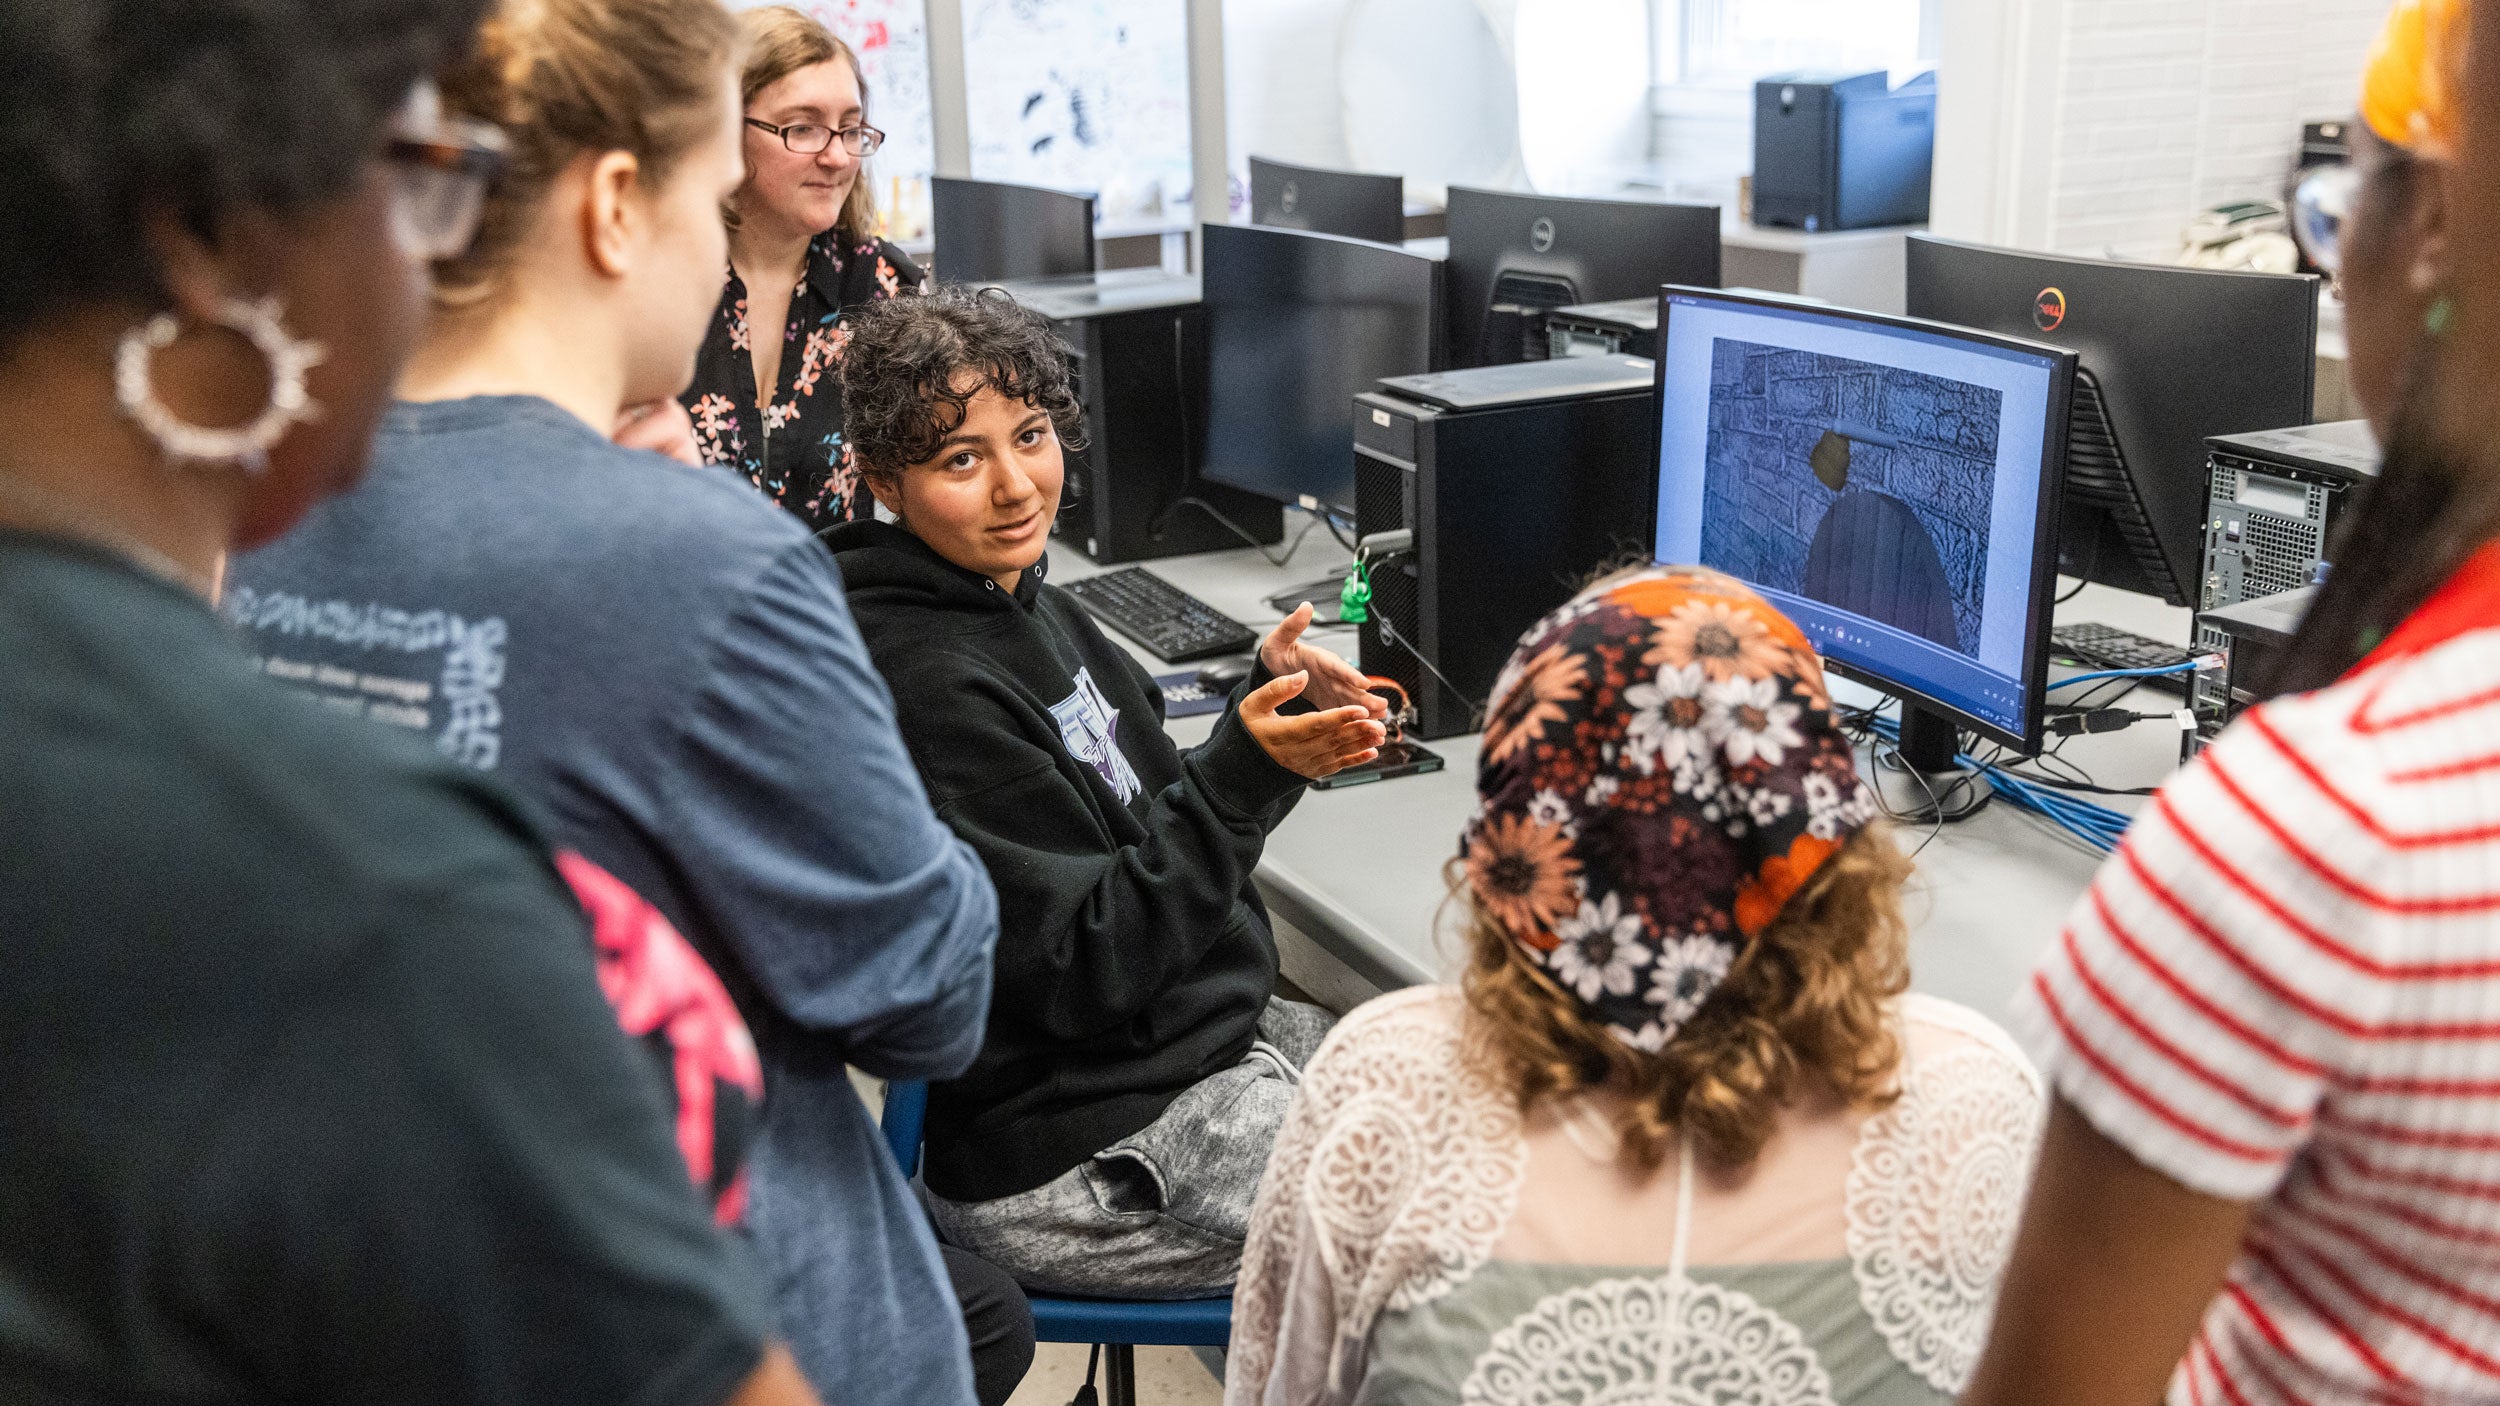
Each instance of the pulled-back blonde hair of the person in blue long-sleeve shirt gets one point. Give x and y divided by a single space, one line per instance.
581 76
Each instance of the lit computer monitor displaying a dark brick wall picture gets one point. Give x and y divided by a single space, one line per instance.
1889 484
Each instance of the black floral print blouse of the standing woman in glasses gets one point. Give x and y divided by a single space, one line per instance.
794 447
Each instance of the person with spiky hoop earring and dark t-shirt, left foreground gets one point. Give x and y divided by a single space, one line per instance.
306 1077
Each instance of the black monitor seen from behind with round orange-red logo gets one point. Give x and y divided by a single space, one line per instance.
2169 359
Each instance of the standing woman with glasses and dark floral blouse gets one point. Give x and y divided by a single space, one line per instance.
804 256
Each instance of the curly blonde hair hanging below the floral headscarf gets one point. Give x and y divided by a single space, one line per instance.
1806 1009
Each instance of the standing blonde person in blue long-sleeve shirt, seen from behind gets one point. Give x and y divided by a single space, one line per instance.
661 659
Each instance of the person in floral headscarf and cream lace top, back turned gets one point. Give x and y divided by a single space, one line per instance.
1681 1135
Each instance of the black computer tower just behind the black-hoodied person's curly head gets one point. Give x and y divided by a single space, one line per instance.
1139 354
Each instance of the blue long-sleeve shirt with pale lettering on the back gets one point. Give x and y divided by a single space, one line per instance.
666 667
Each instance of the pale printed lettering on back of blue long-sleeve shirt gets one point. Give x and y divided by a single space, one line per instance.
469 727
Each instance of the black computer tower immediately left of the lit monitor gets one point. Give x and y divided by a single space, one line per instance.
1516 484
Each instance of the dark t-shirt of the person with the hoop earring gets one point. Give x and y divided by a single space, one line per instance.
306 1082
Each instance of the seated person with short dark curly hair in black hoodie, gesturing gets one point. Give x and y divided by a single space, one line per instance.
1139 1062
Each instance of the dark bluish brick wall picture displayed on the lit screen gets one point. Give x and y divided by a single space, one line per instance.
1911 542
